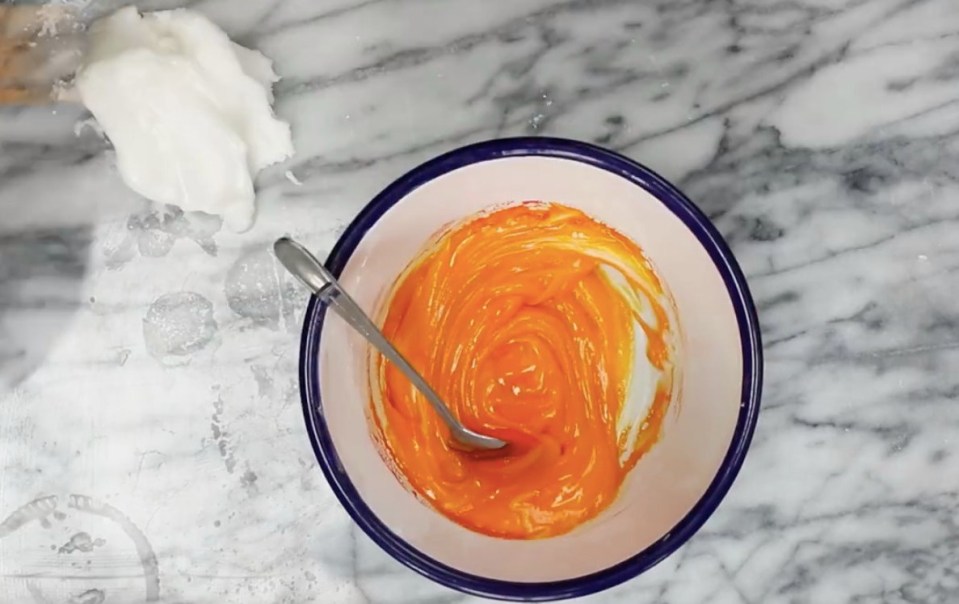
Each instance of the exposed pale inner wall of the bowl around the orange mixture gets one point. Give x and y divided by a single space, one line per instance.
666 483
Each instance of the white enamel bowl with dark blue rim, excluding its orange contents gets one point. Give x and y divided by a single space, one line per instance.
673 489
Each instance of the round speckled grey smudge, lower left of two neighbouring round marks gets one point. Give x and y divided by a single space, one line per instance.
178 323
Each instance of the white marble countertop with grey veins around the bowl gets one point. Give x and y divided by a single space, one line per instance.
151 438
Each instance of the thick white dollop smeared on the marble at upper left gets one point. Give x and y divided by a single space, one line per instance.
188 111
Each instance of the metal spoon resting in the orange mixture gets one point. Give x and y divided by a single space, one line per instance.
304 266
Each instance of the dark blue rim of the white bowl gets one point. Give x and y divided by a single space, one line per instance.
746 317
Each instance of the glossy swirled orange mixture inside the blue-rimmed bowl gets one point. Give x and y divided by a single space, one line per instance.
525 320
